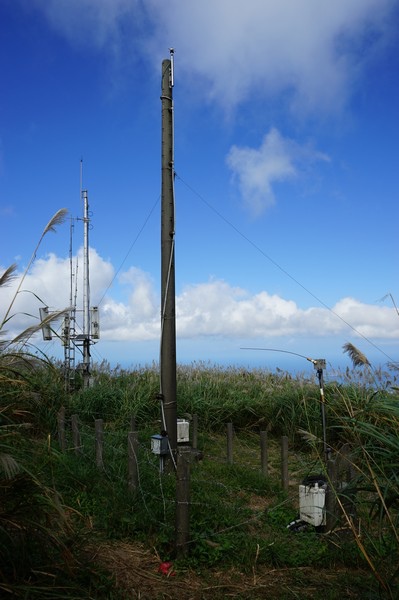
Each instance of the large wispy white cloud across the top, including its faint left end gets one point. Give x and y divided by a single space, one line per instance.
311 51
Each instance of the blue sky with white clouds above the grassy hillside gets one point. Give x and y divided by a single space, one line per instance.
286 135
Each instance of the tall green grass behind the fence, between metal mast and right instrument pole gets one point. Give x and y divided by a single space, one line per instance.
253 399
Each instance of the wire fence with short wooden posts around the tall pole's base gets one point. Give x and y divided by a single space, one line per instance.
248 472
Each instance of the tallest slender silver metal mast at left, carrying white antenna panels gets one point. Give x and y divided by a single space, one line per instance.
86 292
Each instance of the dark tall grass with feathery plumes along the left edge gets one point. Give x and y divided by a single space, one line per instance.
36 529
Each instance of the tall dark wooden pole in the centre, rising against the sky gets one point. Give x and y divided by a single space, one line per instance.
168 312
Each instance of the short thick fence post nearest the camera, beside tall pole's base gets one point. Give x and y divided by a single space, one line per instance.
183 500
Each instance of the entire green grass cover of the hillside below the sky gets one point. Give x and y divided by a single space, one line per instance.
56 506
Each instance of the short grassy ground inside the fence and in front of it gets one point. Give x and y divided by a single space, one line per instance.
239 543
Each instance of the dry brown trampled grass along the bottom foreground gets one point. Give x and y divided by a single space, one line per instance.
135 571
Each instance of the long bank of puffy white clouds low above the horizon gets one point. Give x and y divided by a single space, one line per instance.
211 309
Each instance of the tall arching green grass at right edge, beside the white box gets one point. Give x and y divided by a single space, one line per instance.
369 421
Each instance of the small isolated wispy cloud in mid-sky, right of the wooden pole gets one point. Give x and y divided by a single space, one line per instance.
278 159
